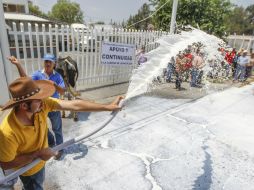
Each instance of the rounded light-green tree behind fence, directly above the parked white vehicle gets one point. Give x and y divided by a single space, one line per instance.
67 11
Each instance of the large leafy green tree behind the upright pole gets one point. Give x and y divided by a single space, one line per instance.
208 15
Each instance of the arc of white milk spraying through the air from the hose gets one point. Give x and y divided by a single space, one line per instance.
158 58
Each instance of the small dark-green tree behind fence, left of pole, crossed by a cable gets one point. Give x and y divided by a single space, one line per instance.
143 13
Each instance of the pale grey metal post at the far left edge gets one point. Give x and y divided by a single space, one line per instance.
5 66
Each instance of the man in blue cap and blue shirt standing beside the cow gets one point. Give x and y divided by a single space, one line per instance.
48 73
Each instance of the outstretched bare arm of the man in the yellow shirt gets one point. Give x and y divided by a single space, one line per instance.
83 105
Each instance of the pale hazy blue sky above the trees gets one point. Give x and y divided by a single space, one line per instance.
105 10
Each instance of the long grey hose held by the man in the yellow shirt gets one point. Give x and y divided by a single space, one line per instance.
57 148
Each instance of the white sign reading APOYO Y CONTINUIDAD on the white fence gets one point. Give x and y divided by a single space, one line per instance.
117 54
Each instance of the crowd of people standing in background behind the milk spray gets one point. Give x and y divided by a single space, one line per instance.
193 65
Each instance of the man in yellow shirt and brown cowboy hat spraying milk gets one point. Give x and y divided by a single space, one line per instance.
23 132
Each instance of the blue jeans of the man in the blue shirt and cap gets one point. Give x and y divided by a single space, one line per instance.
56 122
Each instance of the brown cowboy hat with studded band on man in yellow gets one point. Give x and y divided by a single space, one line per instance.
24 89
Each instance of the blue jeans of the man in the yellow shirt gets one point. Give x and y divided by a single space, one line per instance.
33 182
